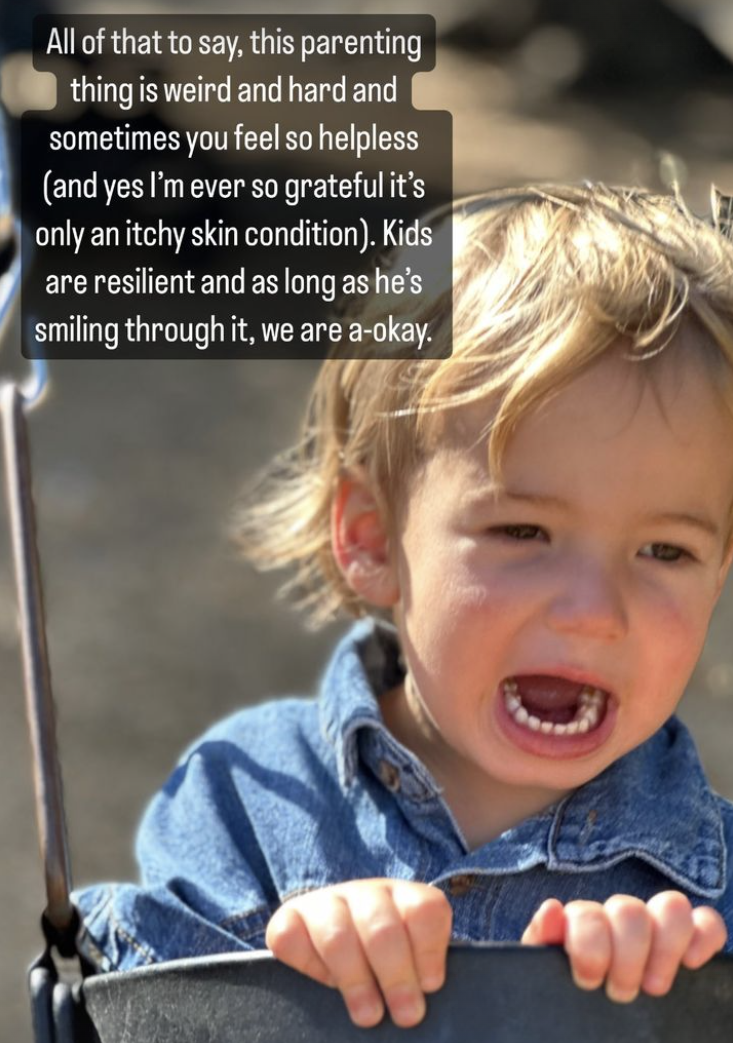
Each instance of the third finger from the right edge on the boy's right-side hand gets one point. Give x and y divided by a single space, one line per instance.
631 941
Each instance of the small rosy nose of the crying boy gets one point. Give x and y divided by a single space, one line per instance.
590 602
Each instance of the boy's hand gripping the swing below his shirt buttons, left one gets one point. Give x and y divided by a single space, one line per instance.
379 942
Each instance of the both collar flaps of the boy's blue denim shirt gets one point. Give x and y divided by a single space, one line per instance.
654 804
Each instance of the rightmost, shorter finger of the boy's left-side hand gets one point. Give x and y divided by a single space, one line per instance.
428 918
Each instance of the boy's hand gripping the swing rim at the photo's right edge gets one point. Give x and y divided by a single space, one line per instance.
630 945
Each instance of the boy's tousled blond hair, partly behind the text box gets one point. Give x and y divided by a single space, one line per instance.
546 280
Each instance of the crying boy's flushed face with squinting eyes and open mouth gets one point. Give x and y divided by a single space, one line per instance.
580 592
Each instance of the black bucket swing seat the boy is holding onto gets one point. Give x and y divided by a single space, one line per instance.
494 995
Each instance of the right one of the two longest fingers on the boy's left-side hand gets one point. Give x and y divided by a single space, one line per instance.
387 949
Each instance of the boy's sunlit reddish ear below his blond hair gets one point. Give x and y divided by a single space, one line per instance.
360 543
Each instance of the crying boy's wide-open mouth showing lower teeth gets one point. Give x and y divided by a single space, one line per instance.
554 706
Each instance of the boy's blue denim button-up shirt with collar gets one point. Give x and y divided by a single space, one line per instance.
300 794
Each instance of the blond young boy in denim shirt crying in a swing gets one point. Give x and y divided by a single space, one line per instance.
543 524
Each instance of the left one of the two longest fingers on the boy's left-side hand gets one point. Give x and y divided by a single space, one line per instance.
336 940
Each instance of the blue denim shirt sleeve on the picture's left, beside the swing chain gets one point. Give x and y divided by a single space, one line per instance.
206 886
